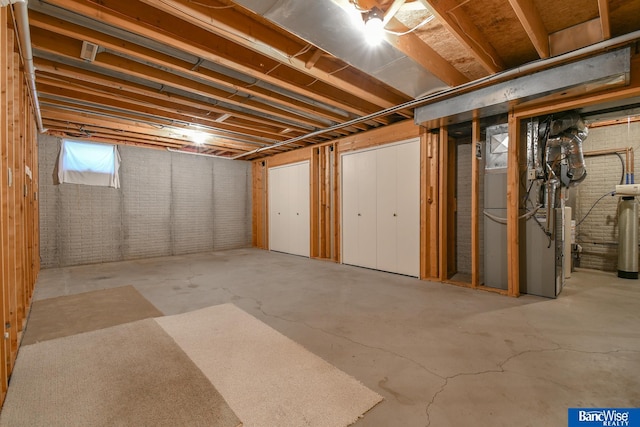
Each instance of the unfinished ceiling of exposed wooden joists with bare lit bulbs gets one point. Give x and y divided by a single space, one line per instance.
164 69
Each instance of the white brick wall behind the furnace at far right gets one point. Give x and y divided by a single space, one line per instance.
598 233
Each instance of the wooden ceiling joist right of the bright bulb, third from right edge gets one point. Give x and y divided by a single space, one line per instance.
453 17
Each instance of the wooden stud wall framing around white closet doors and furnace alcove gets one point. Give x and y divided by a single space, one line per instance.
437 172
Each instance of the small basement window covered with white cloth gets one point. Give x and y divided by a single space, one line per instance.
89 163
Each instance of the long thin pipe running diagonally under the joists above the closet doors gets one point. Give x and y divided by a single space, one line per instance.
476 84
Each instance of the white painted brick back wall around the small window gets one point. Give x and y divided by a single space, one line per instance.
168 204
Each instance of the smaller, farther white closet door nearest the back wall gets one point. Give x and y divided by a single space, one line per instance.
289 222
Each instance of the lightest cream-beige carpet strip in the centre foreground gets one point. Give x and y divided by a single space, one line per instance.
267 379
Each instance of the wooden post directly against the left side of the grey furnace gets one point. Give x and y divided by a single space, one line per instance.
513 187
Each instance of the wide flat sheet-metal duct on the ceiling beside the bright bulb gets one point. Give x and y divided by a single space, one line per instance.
325 24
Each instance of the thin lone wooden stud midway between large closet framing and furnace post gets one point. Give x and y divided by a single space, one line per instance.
475 204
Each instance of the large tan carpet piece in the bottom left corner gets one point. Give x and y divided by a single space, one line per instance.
127 375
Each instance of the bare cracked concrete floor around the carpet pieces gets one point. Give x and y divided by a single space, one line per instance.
440 355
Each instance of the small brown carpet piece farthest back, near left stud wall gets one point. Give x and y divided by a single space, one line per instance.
89 311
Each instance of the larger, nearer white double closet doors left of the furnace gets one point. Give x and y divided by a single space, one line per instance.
381 208
